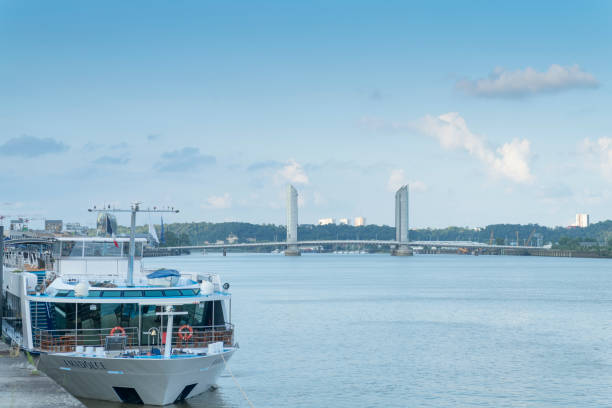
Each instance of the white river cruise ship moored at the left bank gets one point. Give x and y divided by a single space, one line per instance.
107 328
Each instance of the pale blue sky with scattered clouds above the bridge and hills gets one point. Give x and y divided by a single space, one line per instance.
493 111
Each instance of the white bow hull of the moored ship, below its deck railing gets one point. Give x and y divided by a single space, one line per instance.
152 381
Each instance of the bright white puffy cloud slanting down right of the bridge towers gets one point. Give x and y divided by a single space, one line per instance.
511 160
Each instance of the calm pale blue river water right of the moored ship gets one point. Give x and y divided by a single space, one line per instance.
327 330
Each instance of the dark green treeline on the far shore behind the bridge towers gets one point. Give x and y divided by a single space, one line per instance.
201 232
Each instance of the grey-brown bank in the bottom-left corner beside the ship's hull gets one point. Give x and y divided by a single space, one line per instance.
22 386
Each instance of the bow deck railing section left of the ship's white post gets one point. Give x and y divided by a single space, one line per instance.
68 340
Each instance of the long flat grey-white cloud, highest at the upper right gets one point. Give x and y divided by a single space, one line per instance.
504 84
